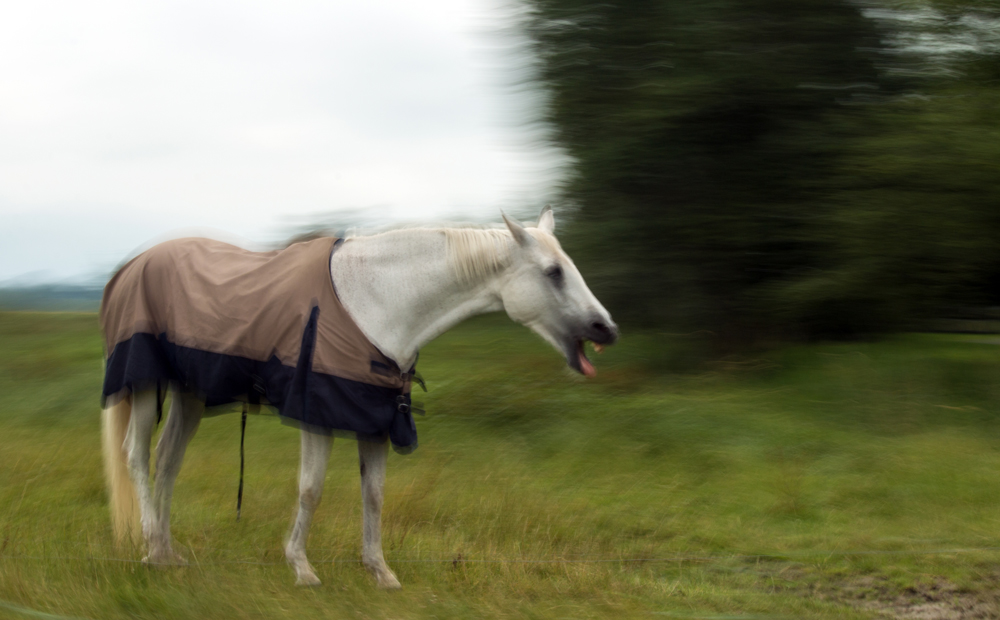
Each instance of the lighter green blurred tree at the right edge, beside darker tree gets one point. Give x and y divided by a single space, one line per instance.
915 229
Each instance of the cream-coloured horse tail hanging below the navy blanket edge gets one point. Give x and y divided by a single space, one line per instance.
124 504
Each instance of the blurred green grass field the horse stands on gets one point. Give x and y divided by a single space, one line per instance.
849 480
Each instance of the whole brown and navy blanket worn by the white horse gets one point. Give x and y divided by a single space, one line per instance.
233 325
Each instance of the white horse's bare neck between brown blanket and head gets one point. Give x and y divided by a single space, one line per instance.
401 291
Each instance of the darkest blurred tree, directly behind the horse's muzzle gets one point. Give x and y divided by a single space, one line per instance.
700 132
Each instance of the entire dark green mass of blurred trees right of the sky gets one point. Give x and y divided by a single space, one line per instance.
758 168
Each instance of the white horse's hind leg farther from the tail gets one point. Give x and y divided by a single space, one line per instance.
182 422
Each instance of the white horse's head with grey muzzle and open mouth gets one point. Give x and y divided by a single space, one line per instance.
543 290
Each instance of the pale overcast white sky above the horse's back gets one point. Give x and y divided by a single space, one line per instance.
125 121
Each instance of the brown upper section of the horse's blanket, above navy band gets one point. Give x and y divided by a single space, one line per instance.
217 297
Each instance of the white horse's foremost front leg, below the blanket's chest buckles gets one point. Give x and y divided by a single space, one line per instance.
372 457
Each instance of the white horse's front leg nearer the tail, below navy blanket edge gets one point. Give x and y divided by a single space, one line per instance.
315 453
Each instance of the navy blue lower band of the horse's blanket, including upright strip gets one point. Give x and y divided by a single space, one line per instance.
315 399
